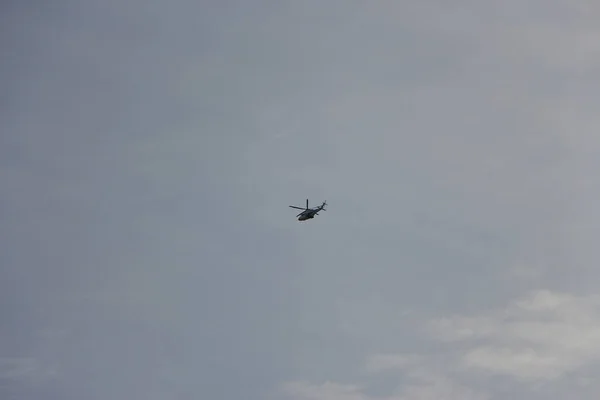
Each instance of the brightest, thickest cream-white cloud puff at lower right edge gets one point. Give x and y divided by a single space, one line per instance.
540 337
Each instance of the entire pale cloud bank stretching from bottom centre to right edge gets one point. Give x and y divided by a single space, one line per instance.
541 337
